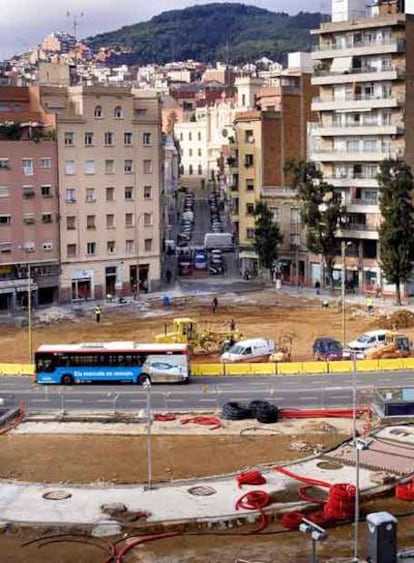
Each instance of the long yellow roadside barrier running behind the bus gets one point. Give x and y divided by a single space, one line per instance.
268 368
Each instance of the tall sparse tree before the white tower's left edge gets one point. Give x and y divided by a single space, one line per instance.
321 211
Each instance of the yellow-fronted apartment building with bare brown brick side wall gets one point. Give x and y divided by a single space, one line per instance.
265 139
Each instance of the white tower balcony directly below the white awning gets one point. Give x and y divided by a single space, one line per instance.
323 77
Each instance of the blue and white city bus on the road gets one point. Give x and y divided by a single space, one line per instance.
111 361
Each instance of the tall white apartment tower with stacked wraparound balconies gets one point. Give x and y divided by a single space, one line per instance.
365 104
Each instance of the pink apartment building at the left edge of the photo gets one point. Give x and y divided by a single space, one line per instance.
29 228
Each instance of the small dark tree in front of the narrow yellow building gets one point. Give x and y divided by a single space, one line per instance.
267 235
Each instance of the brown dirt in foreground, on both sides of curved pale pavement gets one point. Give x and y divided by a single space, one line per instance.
122 459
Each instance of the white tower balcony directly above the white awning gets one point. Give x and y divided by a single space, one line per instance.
358 49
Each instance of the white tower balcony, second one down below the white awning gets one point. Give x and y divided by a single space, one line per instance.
357 102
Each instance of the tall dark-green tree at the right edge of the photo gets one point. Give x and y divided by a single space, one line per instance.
396 233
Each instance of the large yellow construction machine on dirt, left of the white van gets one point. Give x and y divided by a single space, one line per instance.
207 339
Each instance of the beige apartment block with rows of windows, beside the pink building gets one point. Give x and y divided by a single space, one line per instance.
110 181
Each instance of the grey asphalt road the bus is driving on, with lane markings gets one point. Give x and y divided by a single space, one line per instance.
206 393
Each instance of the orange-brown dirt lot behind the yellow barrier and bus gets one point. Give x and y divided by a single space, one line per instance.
259 314
